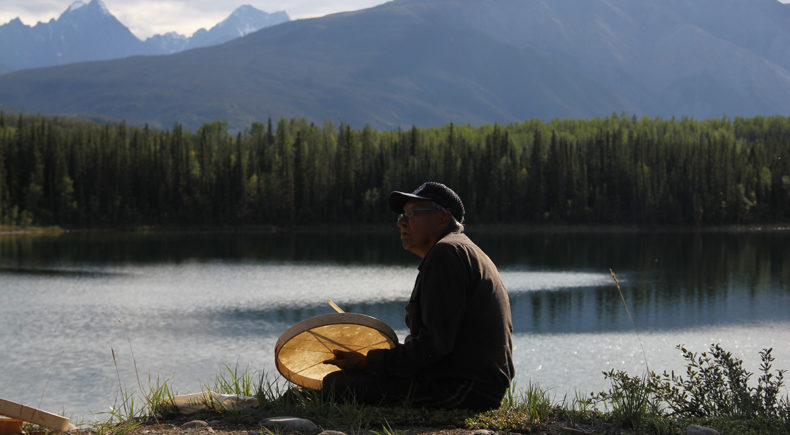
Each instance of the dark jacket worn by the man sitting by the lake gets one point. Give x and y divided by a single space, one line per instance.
459 321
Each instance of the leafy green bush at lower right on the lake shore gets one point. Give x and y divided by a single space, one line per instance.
716 388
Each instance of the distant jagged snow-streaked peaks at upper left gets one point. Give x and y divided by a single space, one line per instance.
88 31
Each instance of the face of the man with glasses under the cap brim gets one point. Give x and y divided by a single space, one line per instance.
419 233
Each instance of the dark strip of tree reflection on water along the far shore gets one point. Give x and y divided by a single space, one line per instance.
703 257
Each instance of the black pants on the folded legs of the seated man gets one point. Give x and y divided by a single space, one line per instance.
380 390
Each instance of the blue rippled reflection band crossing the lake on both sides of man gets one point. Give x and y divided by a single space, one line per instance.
575 310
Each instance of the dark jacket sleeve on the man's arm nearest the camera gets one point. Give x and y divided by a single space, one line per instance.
440 304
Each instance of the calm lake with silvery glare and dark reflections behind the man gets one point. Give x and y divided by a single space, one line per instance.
180 306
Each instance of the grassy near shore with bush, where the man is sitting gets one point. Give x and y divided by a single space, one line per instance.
714 392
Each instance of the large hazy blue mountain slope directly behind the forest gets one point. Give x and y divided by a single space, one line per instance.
429 62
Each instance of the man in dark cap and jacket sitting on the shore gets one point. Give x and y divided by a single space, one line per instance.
458 353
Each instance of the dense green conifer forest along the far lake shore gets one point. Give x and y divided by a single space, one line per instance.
617 169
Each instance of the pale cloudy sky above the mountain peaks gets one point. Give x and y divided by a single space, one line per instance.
146 18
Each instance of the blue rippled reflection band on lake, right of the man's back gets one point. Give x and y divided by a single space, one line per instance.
600 309
